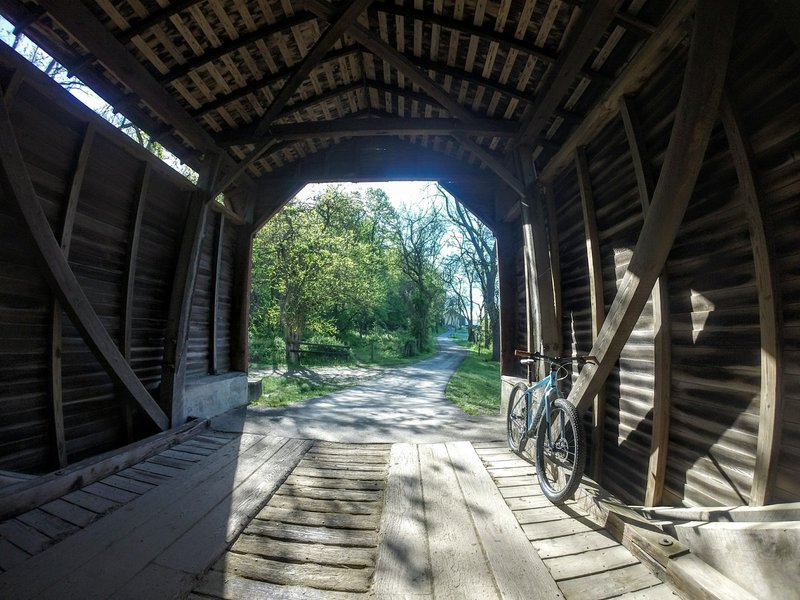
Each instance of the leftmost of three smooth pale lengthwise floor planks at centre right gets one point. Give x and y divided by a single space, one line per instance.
403 564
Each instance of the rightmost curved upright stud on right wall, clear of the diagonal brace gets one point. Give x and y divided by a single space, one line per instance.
771 400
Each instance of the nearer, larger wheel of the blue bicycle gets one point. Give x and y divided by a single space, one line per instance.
559 469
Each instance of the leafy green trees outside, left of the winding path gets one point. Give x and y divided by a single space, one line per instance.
340 263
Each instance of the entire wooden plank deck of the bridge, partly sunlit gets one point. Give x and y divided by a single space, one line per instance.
246 516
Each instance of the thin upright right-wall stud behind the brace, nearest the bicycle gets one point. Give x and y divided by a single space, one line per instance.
596 298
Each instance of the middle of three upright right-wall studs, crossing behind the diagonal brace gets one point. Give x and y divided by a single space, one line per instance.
662 336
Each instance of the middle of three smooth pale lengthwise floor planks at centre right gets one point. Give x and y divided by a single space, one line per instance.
458 564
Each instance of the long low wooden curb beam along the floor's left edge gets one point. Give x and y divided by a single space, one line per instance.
27 495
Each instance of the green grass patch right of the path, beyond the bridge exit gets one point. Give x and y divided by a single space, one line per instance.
475 386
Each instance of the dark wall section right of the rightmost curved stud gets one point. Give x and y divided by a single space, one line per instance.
766 93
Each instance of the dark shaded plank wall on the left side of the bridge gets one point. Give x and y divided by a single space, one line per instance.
119 215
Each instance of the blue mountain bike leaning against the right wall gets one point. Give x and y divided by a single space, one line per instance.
540 413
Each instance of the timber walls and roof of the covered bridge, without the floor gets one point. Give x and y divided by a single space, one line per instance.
637 160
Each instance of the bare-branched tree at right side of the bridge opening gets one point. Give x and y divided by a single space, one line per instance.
478 254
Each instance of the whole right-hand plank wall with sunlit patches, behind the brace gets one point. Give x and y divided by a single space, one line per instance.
723 416
